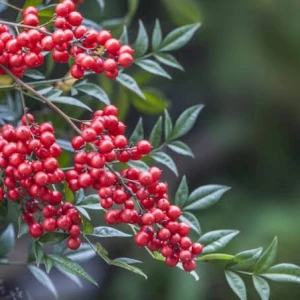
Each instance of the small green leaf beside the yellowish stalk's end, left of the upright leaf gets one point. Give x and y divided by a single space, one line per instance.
246 259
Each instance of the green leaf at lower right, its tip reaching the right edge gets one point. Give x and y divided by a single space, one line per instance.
283 273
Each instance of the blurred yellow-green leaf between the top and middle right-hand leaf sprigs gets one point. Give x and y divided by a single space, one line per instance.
155 102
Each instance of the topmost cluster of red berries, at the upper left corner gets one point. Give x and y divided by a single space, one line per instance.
91 50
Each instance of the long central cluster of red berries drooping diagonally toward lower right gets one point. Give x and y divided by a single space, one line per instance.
132 196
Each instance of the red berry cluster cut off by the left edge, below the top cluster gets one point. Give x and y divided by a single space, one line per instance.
28 169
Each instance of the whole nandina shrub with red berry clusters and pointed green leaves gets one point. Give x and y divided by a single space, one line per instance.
52 200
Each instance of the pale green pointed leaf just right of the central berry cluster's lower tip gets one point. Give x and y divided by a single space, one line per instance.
216 240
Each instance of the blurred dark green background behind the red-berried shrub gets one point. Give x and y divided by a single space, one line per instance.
244 65
